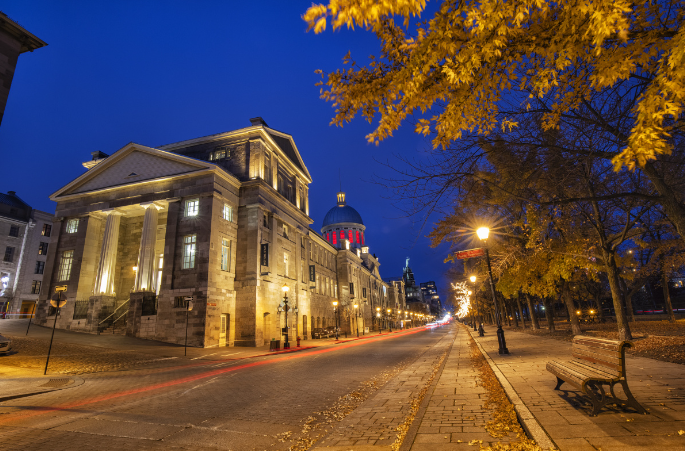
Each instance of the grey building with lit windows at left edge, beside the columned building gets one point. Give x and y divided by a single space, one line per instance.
24 238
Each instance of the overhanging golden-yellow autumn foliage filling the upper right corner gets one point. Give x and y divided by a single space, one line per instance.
455 74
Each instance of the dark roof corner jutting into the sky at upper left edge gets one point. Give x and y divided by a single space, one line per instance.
14 40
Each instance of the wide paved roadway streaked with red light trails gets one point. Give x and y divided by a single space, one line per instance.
257 403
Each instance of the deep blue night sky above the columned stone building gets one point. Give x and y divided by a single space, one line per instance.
160 72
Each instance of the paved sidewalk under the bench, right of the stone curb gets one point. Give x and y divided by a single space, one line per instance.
658 386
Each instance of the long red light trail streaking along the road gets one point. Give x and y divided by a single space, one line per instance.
11 418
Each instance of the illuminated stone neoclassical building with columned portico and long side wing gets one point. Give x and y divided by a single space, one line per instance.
223 219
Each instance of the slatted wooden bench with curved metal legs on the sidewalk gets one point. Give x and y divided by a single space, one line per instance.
596 362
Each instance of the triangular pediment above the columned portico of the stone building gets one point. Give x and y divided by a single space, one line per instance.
132 164
